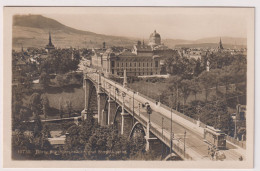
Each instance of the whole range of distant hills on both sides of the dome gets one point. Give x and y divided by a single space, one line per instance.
33 30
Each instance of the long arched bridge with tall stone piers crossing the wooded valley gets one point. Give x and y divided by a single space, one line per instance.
127 110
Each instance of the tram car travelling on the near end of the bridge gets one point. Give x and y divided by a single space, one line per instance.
215 137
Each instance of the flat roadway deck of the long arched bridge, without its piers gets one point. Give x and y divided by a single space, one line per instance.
195 147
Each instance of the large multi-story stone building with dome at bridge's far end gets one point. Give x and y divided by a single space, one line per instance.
141 60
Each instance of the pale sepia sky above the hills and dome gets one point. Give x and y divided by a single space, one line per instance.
170 22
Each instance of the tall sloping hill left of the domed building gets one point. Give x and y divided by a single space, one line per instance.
33 31
